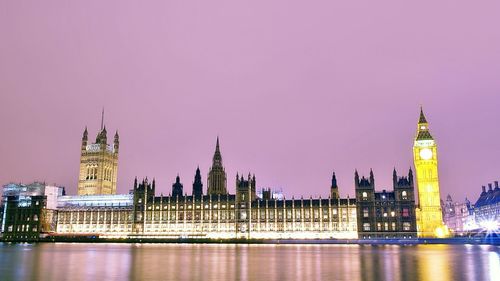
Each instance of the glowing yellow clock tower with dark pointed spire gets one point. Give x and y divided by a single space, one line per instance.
429 216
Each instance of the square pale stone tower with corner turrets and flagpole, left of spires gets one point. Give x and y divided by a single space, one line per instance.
98 164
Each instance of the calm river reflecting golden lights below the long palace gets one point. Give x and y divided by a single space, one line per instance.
67 261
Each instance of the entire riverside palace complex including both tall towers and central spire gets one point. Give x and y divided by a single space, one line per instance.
31 211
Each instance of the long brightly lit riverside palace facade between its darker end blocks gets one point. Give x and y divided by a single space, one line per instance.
142 214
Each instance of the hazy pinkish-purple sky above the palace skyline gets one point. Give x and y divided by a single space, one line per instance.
294 89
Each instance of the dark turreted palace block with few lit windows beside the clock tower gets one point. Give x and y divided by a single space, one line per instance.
386 214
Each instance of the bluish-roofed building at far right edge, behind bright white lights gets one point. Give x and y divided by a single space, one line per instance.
487 208
